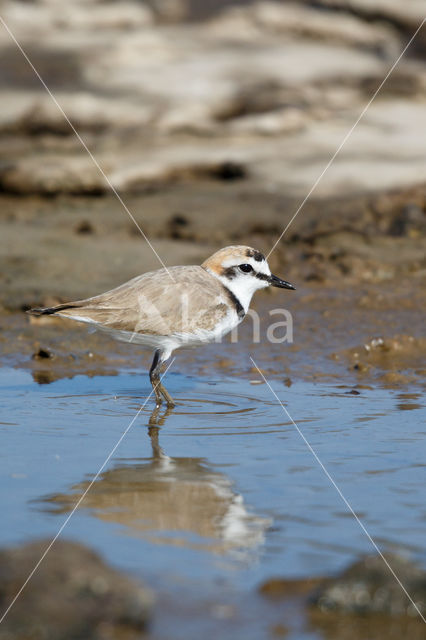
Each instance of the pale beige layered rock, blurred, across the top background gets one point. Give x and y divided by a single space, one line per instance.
273 88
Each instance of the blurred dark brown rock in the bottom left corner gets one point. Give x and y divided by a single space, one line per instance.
72 594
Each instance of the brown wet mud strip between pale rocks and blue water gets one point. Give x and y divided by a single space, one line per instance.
357 313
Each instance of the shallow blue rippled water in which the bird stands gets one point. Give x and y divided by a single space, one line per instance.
225 493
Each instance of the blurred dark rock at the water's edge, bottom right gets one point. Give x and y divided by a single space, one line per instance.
368 586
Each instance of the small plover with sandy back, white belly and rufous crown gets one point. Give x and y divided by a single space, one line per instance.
174 307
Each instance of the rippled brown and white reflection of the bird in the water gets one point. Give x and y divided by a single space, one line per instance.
173 501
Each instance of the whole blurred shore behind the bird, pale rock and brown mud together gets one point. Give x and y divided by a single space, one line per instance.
228 159
